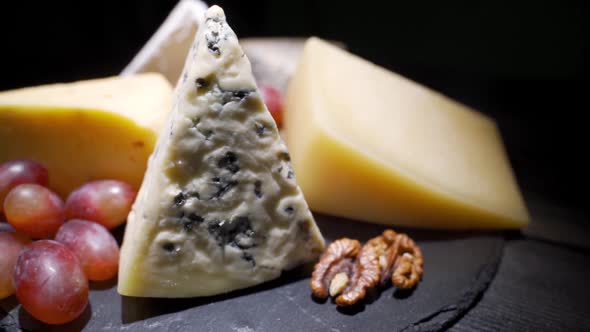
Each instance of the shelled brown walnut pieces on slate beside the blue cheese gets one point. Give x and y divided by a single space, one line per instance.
346 271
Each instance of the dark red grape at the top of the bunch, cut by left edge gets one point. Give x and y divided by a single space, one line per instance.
15 172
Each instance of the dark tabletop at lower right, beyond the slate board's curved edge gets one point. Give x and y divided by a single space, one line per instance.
539 286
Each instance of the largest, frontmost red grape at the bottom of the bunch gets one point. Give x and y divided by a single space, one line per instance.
50 283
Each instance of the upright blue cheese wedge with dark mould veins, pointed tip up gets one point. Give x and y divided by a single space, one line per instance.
219 208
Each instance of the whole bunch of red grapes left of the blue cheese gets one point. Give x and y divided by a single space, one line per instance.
73 243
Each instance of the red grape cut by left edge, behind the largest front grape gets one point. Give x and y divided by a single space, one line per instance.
11 245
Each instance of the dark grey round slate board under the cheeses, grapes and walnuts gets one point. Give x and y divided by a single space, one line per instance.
458 268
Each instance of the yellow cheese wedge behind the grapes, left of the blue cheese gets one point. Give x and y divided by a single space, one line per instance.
103 128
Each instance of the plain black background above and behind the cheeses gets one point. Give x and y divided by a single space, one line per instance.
522 62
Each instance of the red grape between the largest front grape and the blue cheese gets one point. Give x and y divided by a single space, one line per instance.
94 245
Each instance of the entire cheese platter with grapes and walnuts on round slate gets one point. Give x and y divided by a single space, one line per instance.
247 213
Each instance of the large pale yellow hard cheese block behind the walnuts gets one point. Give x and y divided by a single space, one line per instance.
371 145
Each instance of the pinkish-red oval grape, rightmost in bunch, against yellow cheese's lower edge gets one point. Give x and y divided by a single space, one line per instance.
106 202
